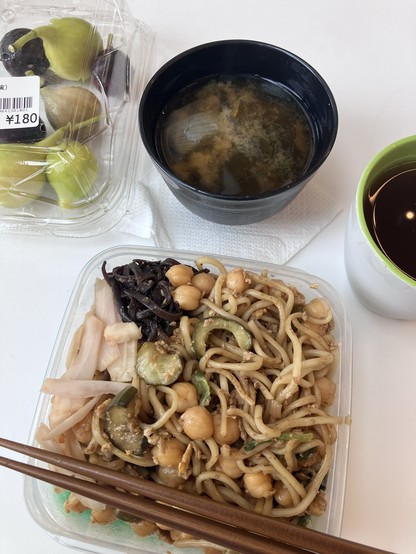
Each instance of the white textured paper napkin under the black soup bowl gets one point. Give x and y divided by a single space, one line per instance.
156 214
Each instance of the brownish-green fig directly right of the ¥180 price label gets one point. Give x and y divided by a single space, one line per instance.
71 104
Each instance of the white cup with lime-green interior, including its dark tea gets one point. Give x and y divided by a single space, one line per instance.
380 237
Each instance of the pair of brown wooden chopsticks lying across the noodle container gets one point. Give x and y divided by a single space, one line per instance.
220 523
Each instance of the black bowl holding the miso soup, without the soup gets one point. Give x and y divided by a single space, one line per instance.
248 58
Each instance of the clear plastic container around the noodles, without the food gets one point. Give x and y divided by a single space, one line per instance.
75 530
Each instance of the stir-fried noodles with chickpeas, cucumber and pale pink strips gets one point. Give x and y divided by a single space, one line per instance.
243 420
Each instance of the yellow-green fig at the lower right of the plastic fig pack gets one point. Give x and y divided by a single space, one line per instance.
72 173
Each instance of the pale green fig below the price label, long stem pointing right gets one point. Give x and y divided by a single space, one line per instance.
22 166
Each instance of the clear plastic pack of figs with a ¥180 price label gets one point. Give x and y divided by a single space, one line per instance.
92 195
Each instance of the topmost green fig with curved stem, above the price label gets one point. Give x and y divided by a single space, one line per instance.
71 45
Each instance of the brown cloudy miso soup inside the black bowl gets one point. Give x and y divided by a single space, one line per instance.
236 136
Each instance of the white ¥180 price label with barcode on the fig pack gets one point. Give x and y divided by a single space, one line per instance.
19 102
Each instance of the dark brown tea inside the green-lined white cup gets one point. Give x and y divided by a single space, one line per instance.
390 213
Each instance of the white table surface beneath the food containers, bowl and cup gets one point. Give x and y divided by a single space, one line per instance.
366 52
